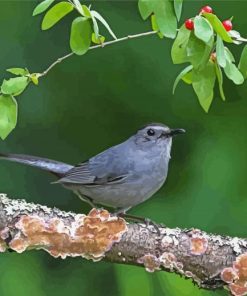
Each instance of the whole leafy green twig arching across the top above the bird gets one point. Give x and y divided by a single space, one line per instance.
208 60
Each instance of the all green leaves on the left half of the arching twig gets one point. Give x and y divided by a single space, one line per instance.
84 31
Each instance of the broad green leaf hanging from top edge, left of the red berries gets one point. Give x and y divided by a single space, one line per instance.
165 17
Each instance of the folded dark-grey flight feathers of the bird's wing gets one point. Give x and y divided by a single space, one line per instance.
81 174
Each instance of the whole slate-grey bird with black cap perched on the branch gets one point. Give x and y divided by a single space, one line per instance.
120 177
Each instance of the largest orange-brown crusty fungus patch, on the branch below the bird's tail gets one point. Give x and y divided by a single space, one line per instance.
88 236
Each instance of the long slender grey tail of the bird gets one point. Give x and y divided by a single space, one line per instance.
55 167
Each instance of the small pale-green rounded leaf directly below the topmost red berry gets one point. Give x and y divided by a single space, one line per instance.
203 29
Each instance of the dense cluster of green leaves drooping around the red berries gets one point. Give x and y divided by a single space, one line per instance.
208 57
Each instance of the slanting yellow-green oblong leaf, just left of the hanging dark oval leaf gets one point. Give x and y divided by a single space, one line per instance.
55 14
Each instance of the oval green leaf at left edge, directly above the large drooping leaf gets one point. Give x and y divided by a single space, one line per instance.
14 86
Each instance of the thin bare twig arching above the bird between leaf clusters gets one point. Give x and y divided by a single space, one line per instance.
59 60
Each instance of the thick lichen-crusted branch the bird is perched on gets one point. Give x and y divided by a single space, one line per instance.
211 261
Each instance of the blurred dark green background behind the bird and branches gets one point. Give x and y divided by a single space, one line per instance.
89 103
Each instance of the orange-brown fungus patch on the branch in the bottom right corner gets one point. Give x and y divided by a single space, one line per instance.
236 276
